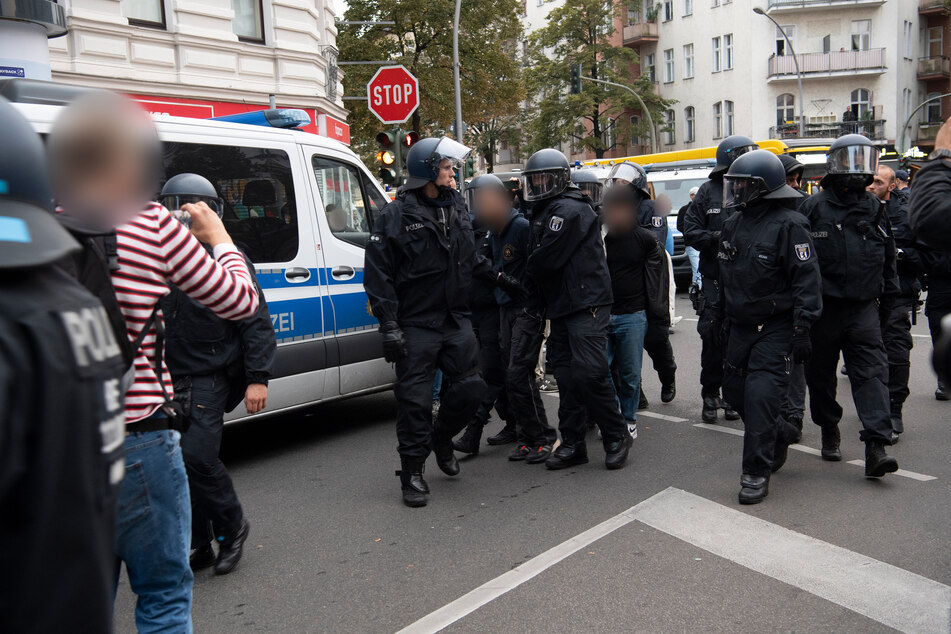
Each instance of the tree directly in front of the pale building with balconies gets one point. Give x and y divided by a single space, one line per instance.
580 32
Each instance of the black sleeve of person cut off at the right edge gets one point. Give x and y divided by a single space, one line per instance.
929 210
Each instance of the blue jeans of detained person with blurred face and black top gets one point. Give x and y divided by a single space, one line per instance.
626 352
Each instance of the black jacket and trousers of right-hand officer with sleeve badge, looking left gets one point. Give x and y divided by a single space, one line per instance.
770 280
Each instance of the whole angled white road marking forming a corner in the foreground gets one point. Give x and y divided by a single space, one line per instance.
890 595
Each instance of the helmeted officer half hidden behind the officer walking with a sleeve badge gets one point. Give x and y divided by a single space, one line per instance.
703 223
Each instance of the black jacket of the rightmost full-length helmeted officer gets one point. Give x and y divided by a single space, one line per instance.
854 243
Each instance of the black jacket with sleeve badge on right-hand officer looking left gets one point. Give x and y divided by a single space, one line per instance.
768 267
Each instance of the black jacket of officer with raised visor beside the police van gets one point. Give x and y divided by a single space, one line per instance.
420 261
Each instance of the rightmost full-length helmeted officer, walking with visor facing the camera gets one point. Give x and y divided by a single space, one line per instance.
857 260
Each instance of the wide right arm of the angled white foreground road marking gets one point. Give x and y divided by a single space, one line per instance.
890 595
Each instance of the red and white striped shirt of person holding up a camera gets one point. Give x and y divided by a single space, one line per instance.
156 250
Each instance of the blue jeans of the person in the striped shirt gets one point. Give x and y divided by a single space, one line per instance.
153 531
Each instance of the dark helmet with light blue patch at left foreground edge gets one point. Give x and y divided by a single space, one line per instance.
29 233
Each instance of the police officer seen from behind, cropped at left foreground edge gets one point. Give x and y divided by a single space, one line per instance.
61 428
